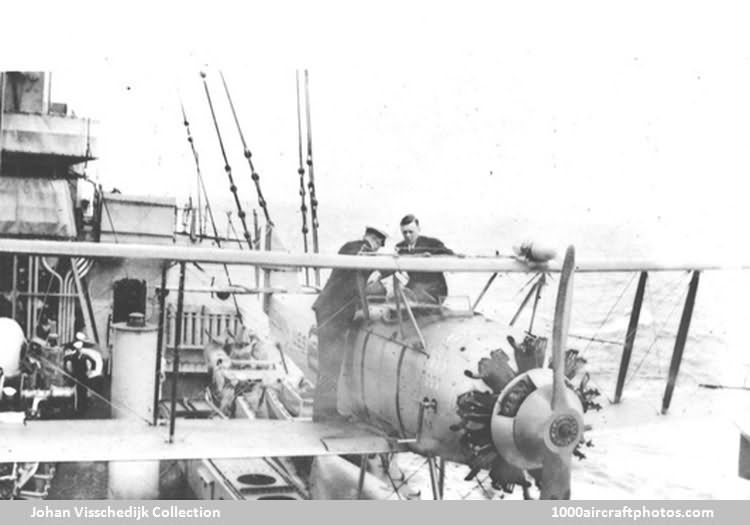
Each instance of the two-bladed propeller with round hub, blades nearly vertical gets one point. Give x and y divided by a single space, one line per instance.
564 427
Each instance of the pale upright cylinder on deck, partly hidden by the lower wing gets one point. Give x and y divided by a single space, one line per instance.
133 388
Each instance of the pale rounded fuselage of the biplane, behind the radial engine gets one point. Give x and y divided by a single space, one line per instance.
388 380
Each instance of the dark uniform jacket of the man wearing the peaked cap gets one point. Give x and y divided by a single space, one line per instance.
338 299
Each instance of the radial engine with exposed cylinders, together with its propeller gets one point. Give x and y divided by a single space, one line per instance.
532 420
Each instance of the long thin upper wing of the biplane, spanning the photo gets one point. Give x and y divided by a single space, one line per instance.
377 262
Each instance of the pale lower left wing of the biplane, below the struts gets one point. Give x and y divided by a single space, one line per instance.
128 440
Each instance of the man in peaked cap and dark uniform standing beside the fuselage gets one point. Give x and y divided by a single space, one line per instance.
334 309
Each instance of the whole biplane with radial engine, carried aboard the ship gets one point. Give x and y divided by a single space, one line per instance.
442 383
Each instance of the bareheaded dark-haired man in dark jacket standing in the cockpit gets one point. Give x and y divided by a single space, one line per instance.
428 287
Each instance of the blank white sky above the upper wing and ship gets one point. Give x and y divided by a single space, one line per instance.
630 113
